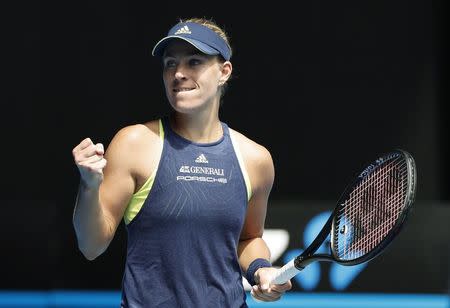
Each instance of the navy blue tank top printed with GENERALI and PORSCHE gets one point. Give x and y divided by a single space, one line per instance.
182 245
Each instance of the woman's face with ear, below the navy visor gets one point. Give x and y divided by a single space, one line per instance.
191 78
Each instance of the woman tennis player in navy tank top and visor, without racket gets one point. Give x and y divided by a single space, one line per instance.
192 191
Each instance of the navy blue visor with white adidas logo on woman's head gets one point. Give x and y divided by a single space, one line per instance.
201 37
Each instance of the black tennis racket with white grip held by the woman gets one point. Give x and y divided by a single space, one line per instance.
368 216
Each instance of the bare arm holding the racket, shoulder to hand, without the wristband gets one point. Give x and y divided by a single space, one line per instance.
251 246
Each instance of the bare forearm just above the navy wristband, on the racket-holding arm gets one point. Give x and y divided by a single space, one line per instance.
252 249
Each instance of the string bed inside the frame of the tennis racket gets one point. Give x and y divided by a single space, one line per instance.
371 210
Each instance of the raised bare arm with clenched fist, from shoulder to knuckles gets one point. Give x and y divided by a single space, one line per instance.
106 188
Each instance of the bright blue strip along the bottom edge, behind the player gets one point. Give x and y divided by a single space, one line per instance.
78 299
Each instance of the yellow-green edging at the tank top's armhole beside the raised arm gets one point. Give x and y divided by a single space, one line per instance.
139 197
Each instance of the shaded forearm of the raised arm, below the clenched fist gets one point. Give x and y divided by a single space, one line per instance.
90 224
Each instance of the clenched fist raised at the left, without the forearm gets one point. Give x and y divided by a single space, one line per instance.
90 162
